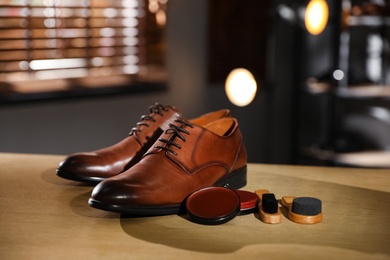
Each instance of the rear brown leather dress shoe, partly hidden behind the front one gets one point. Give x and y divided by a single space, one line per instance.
93 167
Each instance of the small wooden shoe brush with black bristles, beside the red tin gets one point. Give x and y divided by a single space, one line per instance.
269 210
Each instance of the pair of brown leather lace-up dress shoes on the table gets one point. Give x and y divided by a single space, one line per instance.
163 160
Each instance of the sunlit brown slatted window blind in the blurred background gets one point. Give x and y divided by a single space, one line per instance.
90 42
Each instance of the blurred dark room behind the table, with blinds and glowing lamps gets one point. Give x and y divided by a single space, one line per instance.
77 75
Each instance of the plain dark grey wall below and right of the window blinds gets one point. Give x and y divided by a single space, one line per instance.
86 124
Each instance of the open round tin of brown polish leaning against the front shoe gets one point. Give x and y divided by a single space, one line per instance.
213 205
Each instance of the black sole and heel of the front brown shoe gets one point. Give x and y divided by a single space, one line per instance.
234 180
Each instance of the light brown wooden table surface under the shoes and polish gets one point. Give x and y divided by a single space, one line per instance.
45 217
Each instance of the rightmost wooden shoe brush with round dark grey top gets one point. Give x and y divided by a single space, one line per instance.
303 210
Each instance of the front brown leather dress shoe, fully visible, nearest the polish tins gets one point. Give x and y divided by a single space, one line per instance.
186 158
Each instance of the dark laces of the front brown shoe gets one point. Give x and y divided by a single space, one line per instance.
177 132
